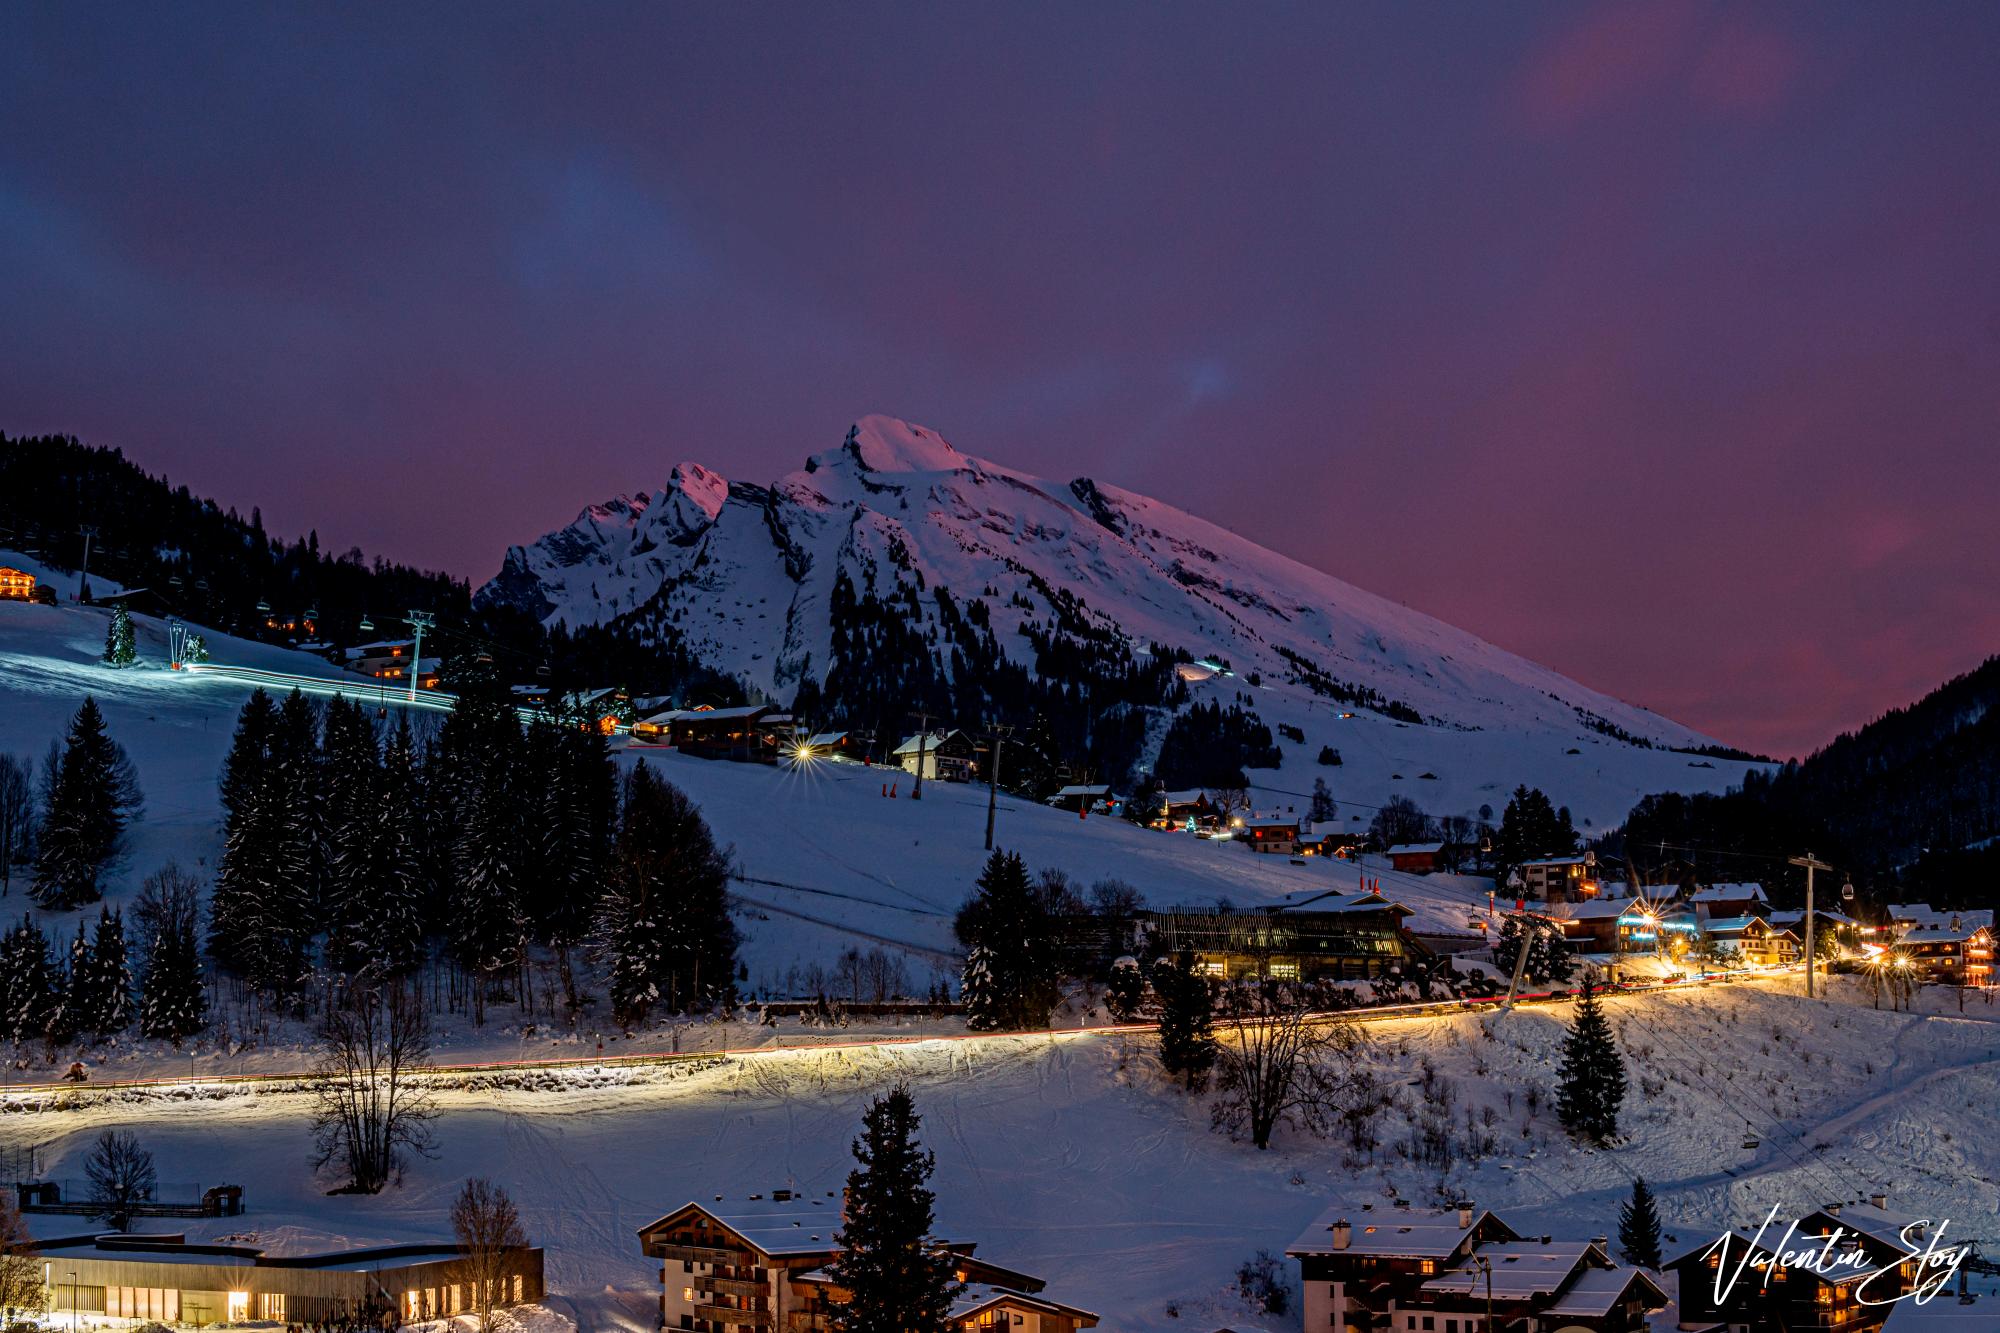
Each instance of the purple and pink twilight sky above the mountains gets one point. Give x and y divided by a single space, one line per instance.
1659 343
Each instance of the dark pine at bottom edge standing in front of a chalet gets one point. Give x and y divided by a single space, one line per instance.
897 1276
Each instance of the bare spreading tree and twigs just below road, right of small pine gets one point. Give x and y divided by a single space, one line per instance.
1283 1064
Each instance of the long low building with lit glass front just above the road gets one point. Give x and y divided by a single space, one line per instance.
1301 938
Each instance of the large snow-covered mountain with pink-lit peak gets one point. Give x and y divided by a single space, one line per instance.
991 569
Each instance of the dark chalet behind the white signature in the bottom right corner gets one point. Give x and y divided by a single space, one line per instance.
1861 1266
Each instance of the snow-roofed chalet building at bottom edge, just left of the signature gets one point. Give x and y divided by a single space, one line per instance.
1403 1270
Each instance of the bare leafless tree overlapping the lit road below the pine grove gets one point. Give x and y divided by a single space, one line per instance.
369 1104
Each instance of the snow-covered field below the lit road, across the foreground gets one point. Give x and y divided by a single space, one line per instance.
1075 1162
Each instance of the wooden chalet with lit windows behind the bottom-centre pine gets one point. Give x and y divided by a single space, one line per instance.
761 1264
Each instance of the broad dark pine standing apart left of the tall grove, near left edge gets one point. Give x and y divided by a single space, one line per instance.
91 798
